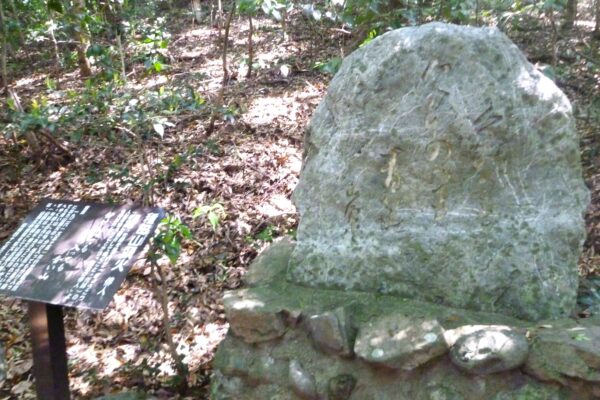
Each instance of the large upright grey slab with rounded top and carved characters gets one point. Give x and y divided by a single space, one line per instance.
442 166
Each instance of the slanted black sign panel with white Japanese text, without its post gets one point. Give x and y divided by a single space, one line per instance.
74 253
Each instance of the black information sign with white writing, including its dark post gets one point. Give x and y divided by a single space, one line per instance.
73 254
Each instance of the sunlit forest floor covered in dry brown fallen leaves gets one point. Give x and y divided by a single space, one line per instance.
249 164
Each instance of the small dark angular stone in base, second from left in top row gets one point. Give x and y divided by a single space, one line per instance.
332 331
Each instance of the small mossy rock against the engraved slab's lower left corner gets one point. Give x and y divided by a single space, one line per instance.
270 264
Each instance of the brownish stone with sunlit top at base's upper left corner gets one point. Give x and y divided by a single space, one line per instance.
252 319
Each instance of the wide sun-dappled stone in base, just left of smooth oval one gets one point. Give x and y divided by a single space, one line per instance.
400 342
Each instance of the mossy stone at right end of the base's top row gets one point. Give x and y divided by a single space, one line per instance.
558 354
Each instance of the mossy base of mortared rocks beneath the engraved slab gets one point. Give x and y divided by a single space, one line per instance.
291 342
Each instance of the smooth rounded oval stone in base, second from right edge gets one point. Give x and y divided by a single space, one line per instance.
490 350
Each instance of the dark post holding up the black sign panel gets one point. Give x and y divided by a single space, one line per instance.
49 351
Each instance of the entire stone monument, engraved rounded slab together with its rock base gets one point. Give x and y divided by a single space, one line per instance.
441 203
